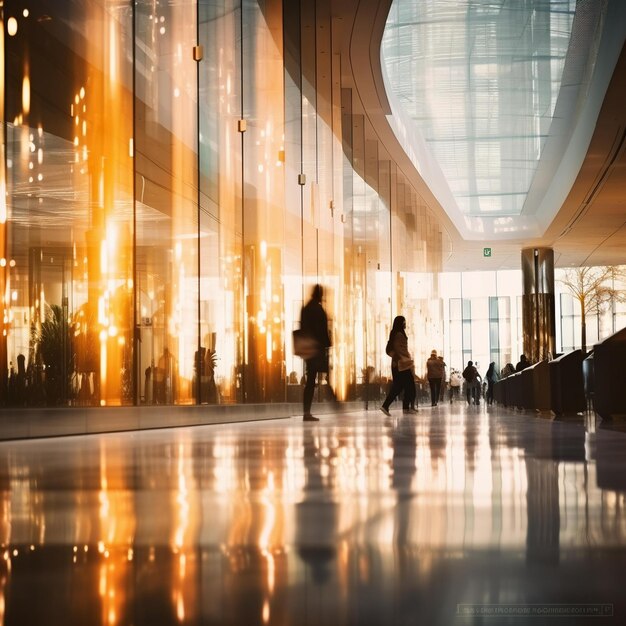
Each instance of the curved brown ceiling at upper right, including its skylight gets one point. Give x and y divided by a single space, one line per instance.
574 200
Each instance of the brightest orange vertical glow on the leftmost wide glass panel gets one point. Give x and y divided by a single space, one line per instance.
103 326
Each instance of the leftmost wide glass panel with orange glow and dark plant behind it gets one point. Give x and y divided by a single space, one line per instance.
69 274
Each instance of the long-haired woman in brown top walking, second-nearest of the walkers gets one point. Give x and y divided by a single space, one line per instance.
402 368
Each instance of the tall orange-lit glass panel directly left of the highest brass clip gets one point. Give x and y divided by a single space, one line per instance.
166 200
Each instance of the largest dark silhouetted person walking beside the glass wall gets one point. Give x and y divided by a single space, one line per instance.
314 324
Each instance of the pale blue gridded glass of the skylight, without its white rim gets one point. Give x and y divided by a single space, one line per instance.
481 81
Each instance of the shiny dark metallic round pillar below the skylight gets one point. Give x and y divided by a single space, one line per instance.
538 323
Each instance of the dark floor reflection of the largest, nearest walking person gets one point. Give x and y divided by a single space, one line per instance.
316 517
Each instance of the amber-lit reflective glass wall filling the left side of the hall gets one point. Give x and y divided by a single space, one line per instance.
178 176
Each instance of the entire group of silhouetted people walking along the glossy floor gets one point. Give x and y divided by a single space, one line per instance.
314 325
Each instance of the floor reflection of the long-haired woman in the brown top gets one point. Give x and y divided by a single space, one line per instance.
403 468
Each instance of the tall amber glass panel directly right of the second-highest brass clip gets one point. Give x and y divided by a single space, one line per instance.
264 198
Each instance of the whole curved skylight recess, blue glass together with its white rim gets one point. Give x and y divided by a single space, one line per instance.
496 100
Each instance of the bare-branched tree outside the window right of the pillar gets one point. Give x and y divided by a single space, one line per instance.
594 288
